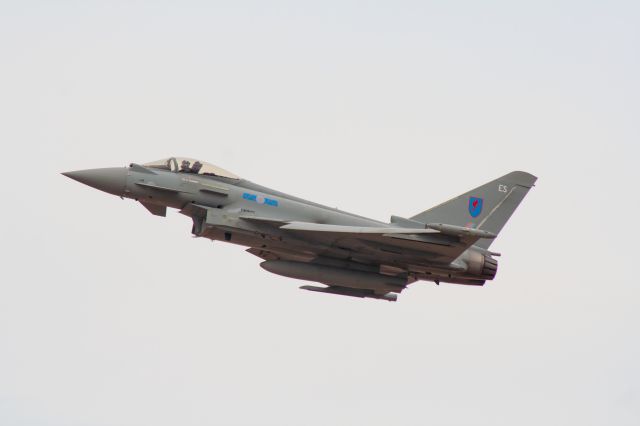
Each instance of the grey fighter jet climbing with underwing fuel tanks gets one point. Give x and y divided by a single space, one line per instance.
349 254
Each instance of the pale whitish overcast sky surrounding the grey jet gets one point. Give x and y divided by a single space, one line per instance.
111 316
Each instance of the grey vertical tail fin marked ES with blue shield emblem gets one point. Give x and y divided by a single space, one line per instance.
486 207
